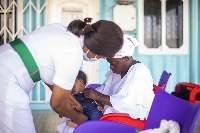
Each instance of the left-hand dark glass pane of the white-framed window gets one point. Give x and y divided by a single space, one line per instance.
152 23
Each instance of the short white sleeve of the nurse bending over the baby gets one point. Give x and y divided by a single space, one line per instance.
67 65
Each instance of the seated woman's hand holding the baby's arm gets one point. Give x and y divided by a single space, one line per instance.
92 94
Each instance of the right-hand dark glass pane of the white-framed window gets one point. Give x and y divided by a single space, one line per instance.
174 23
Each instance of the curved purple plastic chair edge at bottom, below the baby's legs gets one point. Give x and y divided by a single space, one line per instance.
94 126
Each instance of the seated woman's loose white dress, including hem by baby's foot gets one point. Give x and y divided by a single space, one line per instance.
133 94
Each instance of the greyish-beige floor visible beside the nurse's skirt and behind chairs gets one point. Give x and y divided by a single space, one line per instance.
46 122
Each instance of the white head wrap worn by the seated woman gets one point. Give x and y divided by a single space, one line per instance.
128 47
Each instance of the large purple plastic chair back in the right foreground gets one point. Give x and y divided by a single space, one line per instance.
169 107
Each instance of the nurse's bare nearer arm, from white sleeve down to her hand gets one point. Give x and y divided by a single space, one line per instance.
60 103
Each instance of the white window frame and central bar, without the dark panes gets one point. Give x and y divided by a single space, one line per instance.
163 48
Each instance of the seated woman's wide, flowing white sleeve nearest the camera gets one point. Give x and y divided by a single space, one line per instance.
136 95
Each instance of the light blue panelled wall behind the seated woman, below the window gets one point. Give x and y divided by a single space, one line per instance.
178 65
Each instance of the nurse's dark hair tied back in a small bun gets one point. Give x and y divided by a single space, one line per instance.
106 39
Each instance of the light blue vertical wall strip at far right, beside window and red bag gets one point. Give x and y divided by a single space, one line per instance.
194 40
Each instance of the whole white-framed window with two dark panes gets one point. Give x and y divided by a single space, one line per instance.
163 26
